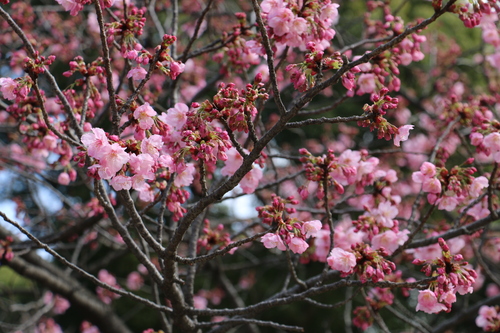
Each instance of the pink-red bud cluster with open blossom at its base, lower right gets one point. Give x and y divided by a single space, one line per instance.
452 276
